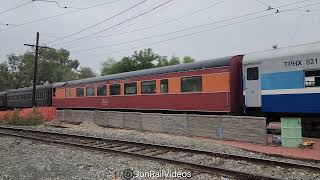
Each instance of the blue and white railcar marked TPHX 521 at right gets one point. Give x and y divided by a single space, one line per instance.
284 80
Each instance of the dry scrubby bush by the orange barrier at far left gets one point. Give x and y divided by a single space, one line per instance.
34 118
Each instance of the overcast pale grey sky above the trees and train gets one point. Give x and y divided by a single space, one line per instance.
284 29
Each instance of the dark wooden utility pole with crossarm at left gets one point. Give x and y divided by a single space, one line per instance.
35 68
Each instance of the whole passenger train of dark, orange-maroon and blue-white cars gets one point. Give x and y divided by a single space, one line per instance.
272 83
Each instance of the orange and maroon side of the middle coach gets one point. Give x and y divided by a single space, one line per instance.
200 90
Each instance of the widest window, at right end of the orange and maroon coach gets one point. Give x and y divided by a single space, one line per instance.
191 84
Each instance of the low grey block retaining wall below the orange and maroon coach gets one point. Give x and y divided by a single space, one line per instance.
239 128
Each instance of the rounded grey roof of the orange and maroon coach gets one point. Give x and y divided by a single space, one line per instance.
219 62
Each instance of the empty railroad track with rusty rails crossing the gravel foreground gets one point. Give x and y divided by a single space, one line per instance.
151 152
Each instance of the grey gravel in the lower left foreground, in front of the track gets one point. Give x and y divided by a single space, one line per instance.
25 159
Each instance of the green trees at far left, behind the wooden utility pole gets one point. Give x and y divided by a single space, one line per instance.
54 65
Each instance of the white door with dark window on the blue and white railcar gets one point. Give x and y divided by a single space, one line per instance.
252 86
